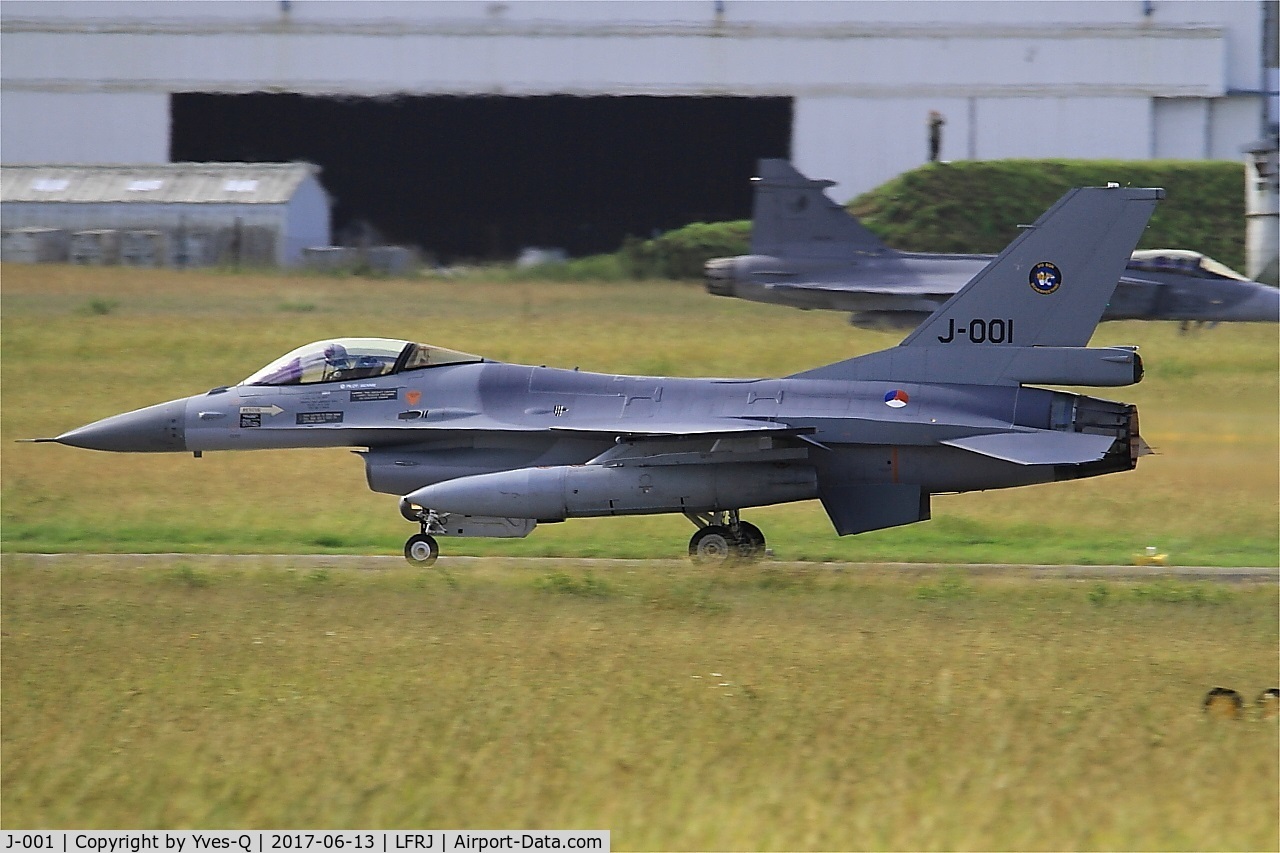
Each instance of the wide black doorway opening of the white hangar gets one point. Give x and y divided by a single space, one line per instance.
482 177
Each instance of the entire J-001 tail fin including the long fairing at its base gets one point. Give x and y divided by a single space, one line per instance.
1030 314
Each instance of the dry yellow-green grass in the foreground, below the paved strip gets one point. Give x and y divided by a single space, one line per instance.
682 709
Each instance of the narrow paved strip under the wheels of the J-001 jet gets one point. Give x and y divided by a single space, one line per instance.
1244 574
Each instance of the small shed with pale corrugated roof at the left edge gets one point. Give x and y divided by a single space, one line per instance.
179 215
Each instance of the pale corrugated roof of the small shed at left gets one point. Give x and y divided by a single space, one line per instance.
158 184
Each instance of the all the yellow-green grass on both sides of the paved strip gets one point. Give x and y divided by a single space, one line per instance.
765 708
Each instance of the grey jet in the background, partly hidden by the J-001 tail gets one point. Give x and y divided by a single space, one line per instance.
810 253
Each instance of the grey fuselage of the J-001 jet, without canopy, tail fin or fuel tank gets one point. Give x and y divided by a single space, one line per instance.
460 421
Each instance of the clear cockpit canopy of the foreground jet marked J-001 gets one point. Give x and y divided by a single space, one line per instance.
346 359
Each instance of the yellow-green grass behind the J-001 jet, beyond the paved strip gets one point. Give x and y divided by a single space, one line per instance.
83 344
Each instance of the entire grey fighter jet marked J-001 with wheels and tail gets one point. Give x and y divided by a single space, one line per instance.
483 449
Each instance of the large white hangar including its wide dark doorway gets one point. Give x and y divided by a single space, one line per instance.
477 127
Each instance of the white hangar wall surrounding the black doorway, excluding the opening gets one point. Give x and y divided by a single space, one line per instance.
89 83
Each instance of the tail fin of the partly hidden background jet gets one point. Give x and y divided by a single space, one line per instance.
793 217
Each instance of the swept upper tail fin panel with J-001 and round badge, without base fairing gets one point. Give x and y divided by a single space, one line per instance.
1052 285
